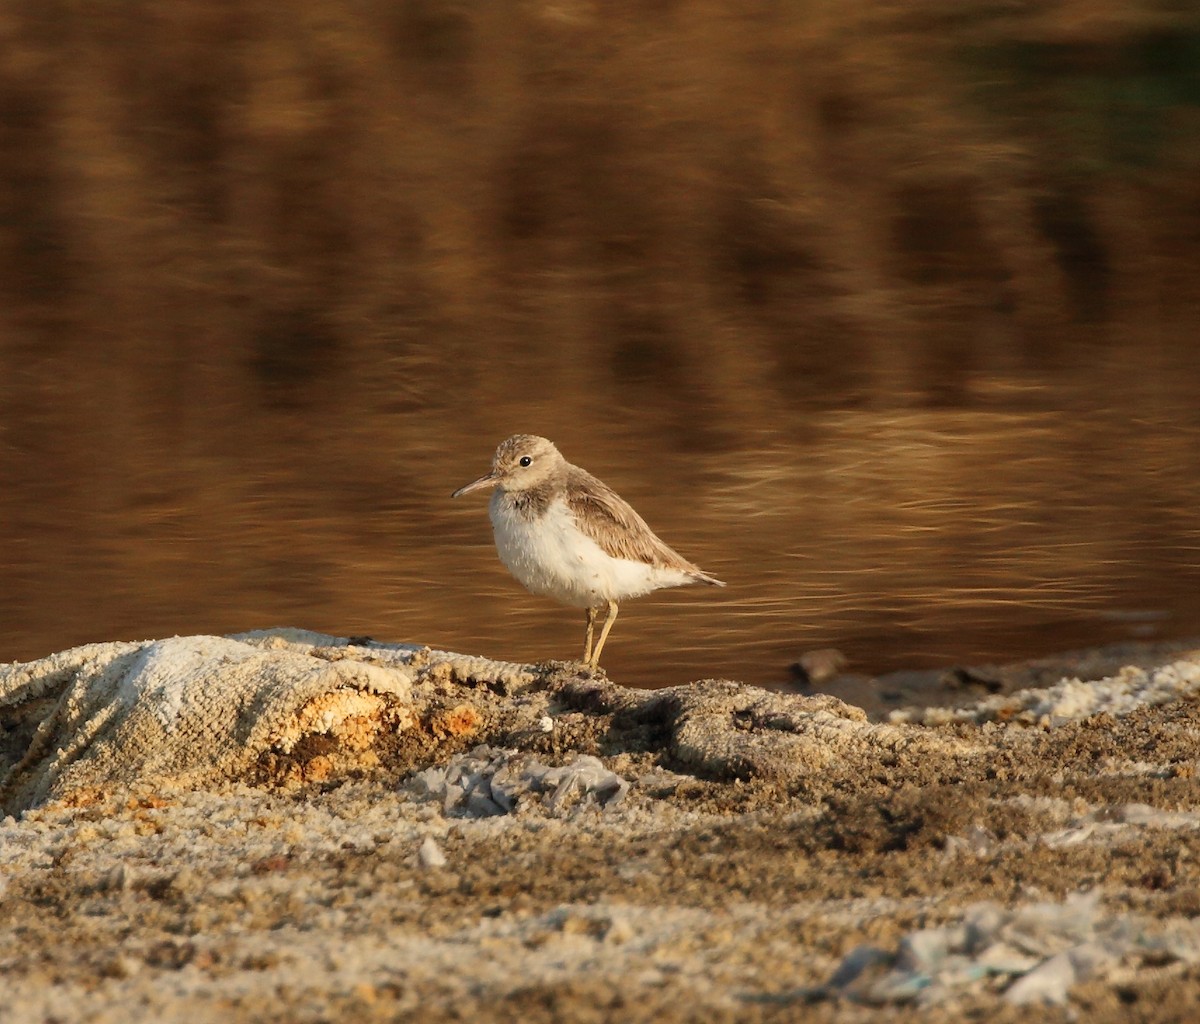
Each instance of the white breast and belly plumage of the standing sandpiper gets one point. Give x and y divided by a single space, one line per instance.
551 556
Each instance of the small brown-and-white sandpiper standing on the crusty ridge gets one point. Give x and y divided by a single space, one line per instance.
566 535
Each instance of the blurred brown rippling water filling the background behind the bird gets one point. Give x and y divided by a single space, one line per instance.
885 314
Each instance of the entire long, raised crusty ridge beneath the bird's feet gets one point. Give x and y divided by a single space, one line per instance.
289 706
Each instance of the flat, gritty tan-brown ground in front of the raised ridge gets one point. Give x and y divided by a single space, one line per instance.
691 901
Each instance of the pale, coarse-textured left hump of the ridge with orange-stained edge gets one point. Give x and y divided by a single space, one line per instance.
195 711
